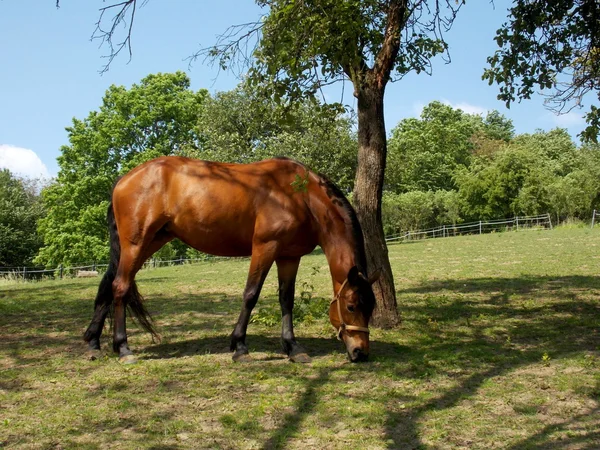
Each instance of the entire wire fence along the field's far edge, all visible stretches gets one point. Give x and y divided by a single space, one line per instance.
94 269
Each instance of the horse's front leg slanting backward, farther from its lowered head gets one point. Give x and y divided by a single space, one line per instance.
261 262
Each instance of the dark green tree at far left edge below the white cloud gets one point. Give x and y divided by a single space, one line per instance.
20 208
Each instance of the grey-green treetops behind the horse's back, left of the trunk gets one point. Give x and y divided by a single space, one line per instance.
242 126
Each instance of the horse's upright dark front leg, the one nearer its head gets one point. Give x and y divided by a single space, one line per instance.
286 271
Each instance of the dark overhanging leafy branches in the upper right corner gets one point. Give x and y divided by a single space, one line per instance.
550 45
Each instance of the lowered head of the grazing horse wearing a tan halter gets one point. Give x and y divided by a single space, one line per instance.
350 311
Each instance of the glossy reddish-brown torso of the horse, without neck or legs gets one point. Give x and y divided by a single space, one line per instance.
217 208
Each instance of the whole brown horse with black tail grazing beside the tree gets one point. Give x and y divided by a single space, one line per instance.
274 211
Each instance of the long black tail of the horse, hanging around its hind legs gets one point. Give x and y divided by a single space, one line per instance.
104 298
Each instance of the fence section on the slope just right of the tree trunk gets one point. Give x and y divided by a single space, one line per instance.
516 223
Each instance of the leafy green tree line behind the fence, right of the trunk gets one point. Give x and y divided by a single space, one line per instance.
449 167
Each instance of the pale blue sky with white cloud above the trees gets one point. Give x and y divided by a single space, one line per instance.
49 69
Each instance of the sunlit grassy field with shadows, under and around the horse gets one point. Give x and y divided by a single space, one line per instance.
499 348
